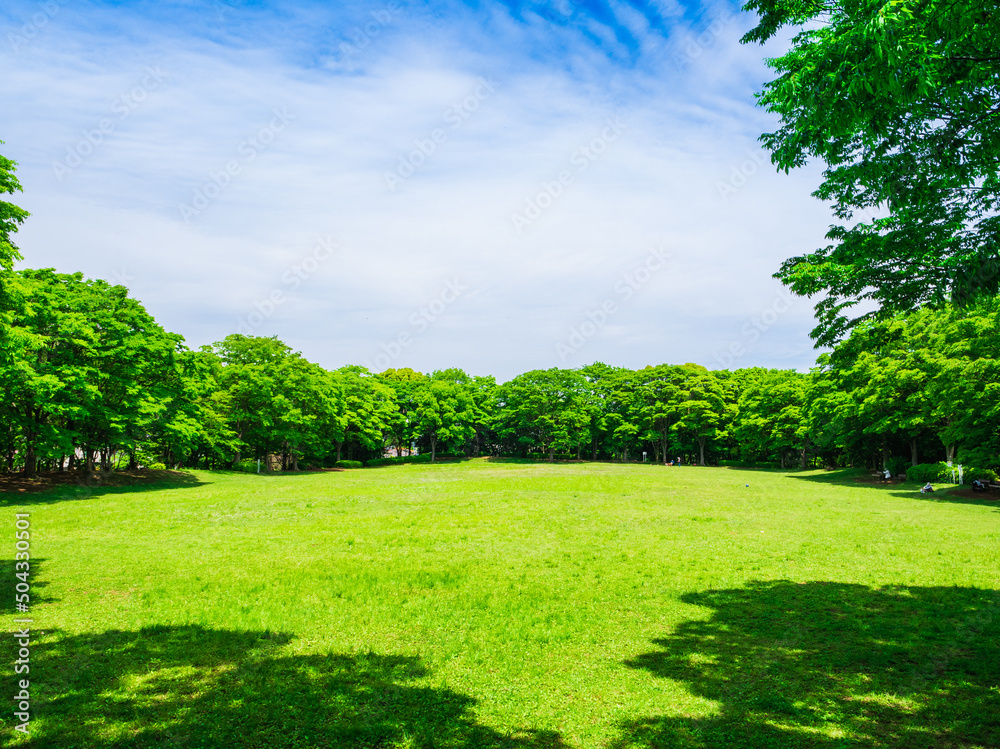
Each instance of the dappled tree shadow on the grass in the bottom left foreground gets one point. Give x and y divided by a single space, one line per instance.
190 686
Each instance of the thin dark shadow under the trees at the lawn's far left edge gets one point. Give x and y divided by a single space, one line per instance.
65 486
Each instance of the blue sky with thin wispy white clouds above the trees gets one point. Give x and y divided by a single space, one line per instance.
499 186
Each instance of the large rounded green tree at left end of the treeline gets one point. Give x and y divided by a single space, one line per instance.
90 364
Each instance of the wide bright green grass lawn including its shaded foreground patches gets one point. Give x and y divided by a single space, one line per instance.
493 604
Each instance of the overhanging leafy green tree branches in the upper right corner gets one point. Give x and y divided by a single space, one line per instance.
899 99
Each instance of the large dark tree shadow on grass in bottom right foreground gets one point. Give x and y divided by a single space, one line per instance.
832 665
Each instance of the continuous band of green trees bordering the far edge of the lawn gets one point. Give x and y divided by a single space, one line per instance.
90 380
